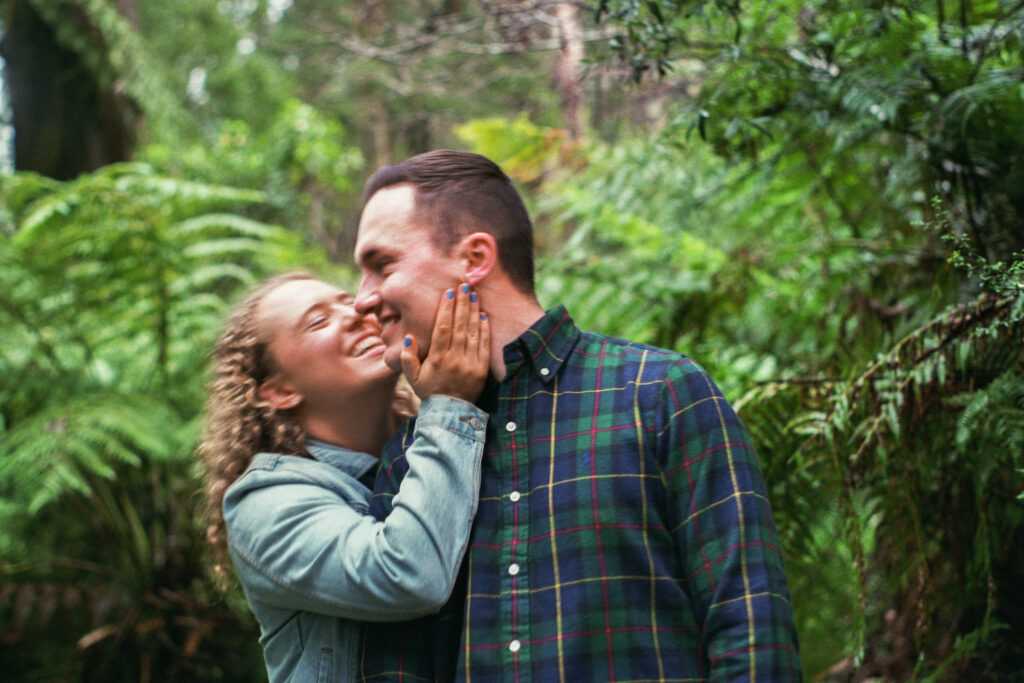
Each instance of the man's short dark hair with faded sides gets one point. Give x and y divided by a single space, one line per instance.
458 193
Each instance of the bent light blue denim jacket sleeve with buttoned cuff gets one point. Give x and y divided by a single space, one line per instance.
305 547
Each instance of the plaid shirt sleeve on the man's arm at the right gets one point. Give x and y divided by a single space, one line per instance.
723 528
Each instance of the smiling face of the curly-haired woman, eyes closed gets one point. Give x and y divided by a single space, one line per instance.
322 349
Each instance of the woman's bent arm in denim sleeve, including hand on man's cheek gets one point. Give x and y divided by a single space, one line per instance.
300 532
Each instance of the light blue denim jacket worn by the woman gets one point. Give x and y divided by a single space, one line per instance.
312 562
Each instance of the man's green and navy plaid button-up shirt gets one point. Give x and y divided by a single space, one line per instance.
624 532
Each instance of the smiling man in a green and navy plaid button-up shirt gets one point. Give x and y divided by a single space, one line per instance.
624 531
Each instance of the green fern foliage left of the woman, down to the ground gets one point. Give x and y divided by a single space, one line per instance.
112 290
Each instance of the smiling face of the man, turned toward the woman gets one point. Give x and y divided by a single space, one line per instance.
404 275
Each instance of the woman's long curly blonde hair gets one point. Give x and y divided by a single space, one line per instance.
239 422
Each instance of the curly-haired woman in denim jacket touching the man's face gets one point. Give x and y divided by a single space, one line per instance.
302 404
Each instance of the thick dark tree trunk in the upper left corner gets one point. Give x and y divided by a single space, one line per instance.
66 122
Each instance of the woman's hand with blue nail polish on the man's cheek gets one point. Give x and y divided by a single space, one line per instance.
460 351
